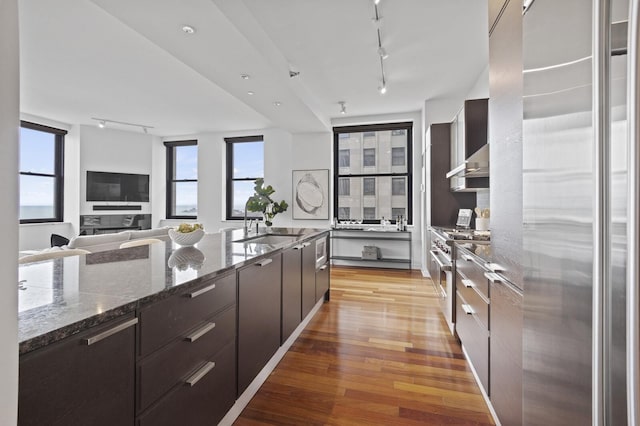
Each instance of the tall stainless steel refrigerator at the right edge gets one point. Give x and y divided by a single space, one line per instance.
580 212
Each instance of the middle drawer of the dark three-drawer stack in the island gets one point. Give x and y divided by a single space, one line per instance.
161 371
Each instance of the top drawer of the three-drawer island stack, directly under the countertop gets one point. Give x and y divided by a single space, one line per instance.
163 321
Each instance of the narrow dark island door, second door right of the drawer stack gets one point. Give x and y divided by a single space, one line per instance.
291 290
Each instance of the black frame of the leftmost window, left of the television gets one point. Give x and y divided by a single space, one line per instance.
58 173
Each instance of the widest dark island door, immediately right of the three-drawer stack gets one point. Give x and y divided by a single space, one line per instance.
259 288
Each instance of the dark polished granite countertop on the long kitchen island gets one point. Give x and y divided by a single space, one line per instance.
64 296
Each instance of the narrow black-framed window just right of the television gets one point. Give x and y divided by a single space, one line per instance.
182 179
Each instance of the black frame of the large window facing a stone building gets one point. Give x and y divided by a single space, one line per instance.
408 175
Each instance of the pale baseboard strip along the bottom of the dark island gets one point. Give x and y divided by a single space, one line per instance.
262 377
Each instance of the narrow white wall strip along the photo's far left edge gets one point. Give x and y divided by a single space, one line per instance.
9 131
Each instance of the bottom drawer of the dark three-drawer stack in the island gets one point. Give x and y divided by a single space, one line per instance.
204 402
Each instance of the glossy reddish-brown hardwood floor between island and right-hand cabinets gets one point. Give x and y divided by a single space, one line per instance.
378 354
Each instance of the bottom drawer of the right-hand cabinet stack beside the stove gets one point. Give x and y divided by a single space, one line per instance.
475 339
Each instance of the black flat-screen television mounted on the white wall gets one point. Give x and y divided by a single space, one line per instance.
105 186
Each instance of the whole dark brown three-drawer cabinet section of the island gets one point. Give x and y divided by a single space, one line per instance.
186 373
